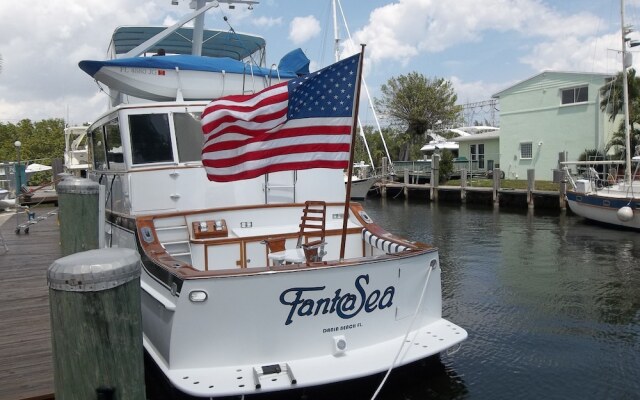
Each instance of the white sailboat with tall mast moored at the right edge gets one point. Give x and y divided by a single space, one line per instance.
616 204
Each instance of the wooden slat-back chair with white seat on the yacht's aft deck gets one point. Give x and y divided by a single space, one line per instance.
312 226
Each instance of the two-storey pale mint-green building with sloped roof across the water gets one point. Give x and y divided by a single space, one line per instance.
547 114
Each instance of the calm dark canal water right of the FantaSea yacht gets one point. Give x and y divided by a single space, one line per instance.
551 305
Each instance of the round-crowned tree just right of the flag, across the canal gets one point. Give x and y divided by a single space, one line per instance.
414 103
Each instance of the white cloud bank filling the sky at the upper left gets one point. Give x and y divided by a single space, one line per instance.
42 45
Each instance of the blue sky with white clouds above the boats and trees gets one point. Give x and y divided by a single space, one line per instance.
481 46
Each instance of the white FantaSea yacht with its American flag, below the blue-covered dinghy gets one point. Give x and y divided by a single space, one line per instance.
260 275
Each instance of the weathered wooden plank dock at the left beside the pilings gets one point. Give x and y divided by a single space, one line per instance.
26 370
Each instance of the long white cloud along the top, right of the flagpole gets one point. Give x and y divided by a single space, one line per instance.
402 30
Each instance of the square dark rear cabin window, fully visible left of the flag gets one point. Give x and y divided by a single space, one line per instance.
150 138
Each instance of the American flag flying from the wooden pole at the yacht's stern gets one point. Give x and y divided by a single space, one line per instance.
300 124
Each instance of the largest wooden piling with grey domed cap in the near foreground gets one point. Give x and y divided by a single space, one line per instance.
96 324
